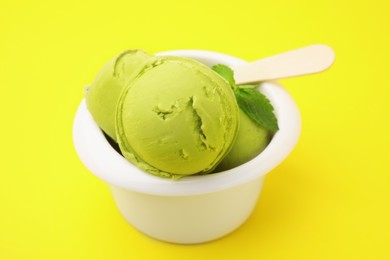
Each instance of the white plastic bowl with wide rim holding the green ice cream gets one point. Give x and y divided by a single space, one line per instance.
194 209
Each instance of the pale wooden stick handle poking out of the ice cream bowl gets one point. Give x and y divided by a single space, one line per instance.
307 60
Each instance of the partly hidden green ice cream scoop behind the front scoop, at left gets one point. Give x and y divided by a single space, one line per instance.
103 94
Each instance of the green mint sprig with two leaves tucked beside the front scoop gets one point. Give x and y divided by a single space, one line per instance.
254 104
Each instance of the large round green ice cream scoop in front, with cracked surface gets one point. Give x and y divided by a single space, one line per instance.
177 118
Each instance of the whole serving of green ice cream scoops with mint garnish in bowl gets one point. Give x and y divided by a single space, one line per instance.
174 116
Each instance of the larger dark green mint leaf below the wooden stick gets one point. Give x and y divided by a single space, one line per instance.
257 107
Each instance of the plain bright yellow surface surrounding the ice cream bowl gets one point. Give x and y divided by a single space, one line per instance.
328 200
